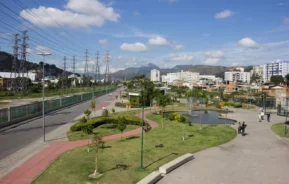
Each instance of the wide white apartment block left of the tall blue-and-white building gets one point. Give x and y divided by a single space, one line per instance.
237 75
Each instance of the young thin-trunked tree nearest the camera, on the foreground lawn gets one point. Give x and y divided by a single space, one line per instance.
97 144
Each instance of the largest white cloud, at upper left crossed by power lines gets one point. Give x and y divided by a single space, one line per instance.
77 14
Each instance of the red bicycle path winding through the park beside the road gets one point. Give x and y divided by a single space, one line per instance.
33 167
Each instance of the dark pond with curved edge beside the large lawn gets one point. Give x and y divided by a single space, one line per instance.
207 117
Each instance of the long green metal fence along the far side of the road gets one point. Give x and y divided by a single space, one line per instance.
29 110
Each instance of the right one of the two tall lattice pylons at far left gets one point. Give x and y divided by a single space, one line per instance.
23 68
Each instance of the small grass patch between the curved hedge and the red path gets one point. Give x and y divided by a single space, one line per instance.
104 130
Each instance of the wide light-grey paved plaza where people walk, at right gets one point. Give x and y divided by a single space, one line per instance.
259 157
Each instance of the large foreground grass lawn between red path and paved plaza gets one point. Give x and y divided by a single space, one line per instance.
74 166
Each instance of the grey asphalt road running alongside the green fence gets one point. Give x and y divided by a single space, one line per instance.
17 138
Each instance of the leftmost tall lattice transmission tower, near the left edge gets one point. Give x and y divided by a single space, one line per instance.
14 71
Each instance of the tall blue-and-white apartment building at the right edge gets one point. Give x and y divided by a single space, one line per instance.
275 68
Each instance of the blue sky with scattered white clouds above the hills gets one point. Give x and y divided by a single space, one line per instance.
163 32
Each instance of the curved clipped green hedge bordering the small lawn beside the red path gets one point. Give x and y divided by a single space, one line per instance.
129 120
